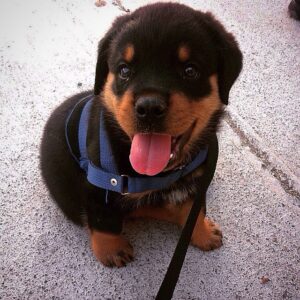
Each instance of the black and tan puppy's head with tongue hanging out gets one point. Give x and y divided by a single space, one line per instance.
164 72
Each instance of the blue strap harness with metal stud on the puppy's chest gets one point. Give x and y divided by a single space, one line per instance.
106 176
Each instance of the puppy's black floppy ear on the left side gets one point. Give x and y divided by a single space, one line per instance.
103 52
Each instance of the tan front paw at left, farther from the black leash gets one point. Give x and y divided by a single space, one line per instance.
112 250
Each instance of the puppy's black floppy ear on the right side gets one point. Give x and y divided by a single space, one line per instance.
229 57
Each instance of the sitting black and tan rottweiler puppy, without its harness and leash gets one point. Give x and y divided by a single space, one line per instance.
163 76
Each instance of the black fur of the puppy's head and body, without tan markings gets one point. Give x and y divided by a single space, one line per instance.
157 31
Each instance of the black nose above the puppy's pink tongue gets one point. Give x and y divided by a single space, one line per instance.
150 108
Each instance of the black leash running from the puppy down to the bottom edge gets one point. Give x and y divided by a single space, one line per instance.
168 285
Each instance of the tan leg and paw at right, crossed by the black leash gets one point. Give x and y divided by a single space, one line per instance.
206 235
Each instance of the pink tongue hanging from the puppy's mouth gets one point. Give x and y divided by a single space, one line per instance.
150 153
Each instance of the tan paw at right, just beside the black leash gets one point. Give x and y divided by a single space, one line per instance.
207 235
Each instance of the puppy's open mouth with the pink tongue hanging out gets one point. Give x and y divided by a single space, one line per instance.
151 152
